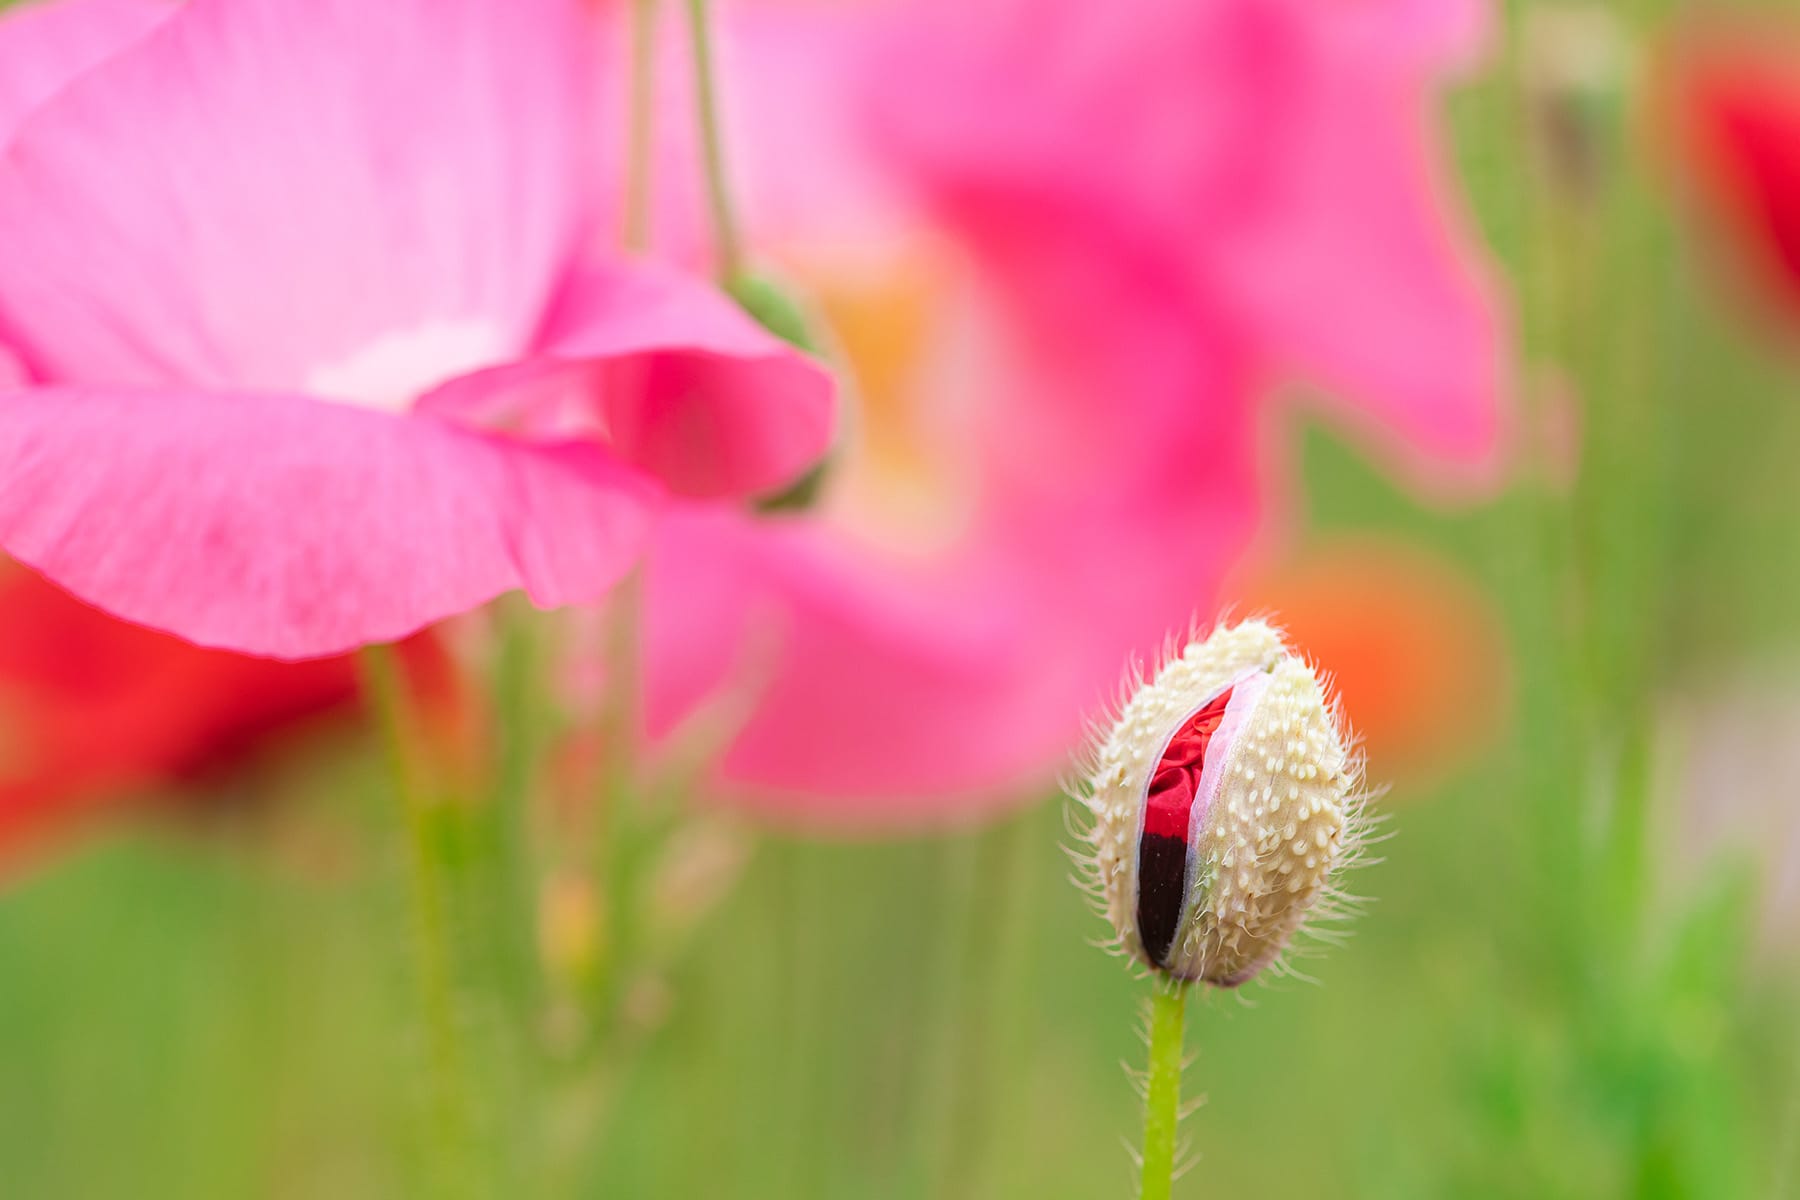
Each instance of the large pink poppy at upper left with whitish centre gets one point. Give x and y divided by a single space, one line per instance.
292 278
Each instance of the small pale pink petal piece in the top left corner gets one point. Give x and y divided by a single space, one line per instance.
49 42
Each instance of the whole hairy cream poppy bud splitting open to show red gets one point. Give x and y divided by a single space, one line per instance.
1223 801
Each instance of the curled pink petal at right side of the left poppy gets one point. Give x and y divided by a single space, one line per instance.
670 373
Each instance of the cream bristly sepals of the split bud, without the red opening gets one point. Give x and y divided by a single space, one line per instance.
1284 821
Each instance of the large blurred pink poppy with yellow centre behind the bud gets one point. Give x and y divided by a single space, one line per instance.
1090 244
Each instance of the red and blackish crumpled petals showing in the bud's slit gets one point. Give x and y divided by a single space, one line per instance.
1164 845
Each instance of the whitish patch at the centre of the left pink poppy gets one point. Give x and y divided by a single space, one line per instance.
397 368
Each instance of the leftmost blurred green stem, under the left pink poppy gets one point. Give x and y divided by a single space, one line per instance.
427 846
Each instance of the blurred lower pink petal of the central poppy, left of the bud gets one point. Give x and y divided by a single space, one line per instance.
876 695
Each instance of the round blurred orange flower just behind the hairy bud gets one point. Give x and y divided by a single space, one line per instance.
1414 647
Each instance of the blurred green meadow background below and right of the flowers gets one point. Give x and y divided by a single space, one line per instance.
1554 994
